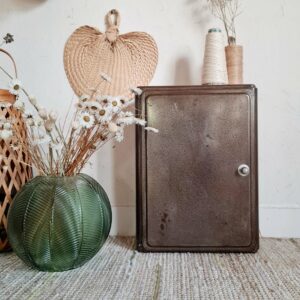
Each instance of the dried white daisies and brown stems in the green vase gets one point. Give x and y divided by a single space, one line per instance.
63 148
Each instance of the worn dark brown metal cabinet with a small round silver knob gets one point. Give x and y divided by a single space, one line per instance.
192 194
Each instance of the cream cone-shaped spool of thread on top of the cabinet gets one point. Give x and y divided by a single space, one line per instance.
214 63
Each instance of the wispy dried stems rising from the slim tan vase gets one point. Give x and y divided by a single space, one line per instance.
227 11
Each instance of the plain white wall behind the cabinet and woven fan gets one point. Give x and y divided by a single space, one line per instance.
269 32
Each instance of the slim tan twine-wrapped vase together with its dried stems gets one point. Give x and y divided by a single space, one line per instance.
227 11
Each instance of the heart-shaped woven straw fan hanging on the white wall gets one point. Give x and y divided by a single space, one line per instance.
129 60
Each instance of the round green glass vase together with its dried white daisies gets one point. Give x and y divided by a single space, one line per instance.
65 216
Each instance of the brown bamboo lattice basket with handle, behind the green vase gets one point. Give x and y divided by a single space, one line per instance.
13 173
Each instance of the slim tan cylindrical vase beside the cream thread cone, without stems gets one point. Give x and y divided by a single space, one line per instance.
234 59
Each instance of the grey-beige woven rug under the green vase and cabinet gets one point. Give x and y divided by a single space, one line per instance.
118 272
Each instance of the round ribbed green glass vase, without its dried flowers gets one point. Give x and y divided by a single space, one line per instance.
59 223
